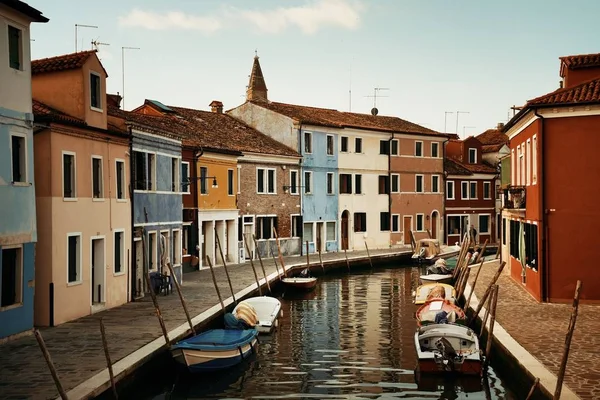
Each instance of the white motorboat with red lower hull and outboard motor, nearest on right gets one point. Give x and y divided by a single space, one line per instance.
448 348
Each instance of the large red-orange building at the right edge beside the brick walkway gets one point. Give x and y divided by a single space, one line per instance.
551 213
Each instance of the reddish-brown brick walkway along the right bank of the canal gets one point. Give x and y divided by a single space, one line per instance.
541 329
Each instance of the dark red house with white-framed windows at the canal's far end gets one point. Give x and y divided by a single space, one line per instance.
470 195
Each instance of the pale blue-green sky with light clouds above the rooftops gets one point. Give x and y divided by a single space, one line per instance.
432 56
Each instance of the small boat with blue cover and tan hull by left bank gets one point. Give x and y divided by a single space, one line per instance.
215 349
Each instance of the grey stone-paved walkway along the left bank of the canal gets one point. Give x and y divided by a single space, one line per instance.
76 347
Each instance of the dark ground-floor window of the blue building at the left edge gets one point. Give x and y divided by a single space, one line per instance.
12 277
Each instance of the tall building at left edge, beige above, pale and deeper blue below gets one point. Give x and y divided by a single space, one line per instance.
18 233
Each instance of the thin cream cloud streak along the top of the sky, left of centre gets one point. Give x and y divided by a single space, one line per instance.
309 18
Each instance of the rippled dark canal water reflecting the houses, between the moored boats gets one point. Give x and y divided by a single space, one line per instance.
351 338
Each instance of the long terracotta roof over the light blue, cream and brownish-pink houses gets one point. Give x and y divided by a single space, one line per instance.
341 119
